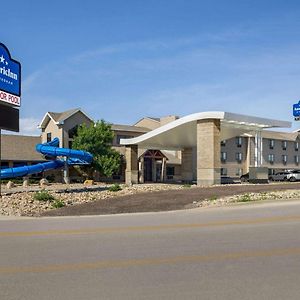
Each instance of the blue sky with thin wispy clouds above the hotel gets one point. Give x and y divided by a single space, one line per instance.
123 60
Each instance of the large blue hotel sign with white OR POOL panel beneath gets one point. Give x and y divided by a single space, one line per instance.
10 78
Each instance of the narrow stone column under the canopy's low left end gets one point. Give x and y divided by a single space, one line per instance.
131 173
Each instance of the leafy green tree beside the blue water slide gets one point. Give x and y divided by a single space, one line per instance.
97 139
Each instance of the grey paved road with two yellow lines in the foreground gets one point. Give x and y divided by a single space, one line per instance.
245 252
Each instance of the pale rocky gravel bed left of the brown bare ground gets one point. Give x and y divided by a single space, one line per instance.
20 201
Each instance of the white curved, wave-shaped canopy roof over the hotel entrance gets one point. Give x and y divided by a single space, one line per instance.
182 133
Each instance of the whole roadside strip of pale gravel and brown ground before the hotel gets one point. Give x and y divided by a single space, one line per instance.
97 199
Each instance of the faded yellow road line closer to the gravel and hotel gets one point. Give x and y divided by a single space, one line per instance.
149 228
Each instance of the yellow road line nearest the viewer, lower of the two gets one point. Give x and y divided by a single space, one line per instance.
149 261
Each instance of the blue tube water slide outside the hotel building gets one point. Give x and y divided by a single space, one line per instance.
52 151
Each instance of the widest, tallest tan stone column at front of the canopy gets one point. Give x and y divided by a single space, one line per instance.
208 152
